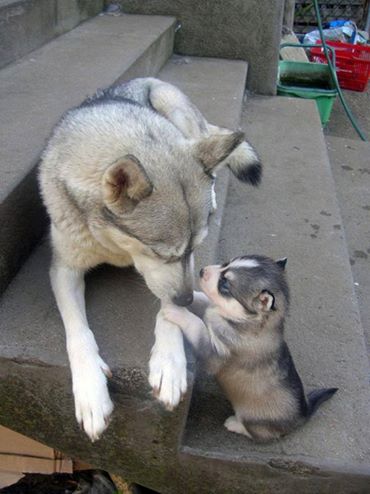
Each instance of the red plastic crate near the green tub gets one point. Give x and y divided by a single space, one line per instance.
352 63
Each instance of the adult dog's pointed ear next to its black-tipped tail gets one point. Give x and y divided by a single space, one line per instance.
214 149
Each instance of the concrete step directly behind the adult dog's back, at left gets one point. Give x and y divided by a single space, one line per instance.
39 88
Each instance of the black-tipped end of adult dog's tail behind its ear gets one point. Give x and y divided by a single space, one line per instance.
245 164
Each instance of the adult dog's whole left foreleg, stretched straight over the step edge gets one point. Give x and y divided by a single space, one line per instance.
92 402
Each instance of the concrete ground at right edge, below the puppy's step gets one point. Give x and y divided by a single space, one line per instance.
350 163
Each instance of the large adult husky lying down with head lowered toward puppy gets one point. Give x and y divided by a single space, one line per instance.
127 178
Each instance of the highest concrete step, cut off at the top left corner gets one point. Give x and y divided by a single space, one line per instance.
29 24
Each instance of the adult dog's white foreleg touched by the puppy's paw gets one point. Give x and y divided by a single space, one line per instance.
167 365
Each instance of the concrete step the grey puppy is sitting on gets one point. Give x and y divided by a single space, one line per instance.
294 214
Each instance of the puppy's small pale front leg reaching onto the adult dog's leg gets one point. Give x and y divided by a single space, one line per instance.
193 328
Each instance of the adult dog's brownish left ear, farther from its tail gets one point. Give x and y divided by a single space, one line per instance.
125 184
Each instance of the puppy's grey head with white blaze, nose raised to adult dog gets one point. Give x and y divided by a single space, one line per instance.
247 288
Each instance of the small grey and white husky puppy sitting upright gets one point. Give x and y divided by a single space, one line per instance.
241 339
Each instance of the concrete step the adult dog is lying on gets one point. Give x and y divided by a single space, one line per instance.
35 390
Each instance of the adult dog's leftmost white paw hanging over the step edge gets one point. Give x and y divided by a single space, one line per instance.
93 405
